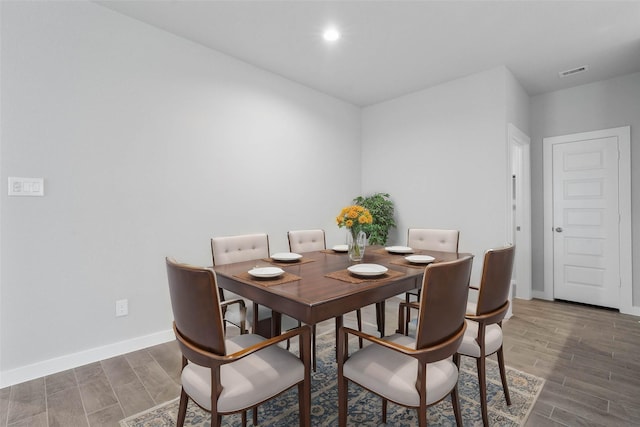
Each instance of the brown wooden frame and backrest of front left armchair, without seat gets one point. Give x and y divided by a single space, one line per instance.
197 308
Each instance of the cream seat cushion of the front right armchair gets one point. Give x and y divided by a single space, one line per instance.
393 375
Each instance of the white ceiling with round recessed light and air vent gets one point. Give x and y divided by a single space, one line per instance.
391 48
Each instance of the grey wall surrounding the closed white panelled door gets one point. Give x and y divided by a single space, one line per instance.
601 105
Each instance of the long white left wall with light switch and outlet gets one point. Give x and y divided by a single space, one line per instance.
149 145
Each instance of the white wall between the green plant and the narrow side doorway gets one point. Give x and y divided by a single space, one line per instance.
441 154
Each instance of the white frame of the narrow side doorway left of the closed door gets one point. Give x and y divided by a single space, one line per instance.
520 146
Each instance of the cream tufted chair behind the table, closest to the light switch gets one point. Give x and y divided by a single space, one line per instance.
230 249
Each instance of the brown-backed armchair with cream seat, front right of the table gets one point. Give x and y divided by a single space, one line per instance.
413 372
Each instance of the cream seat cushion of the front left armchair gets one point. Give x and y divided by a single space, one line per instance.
247 382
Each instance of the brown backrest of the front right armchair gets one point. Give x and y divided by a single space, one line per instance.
445 288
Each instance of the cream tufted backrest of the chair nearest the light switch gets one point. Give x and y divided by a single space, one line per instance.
245 247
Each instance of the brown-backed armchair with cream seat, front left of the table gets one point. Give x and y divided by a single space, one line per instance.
229 375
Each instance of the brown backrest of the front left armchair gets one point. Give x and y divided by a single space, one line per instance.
196 306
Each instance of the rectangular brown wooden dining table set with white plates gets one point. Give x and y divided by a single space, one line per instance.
319 287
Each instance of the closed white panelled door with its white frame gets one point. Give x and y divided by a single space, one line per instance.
587 222
